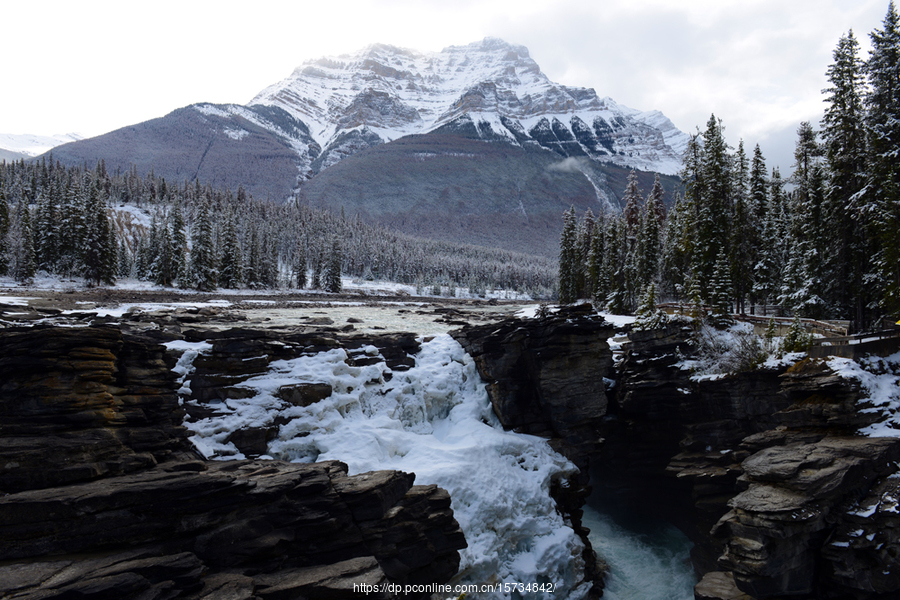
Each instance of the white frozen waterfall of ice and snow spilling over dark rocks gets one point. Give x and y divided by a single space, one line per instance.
434 420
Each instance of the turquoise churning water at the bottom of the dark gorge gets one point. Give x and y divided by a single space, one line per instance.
648 560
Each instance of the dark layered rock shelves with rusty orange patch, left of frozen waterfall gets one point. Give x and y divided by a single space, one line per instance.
115 506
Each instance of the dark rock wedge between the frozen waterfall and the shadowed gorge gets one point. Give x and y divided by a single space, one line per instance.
545 377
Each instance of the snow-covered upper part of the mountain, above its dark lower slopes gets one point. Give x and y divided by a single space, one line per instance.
493 88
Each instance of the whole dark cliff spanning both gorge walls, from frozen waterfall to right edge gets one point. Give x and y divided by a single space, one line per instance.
764 469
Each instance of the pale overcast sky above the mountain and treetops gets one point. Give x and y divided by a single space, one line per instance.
93 66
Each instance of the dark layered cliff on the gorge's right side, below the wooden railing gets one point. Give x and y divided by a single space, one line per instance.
762 469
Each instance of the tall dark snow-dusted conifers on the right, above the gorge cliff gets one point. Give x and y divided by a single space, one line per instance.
821 243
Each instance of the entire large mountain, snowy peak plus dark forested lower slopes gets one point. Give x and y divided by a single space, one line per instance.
472 144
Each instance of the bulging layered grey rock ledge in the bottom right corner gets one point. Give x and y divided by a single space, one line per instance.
778 527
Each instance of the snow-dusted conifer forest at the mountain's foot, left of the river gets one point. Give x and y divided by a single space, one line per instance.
69 222
